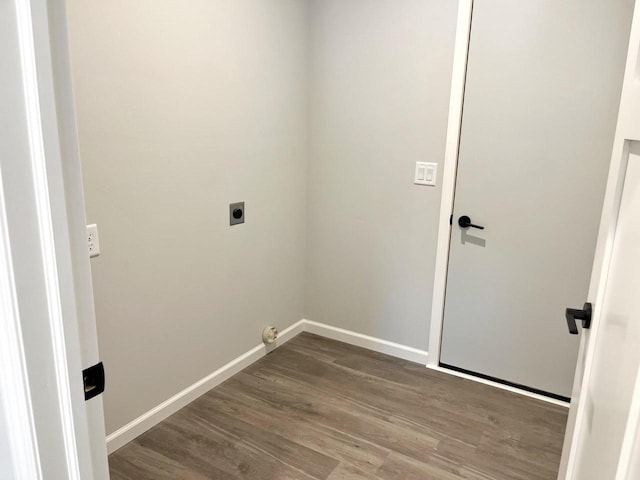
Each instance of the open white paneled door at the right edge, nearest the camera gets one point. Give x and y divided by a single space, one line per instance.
603 431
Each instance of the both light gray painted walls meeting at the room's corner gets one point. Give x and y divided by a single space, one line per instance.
184 110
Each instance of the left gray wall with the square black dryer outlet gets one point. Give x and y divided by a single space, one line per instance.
182 109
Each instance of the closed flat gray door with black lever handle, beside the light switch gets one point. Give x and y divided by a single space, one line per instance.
541 98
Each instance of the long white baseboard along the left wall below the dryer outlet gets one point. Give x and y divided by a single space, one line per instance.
137 427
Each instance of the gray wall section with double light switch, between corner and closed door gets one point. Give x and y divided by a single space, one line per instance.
379 93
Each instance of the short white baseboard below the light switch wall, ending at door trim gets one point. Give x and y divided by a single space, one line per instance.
365 341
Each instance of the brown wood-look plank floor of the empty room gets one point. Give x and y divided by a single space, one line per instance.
321 409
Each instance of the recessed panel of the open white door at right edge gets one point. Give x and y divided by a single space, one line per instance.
617 350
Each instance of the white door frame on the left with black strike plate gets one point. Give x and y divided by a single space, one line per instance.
52 431
